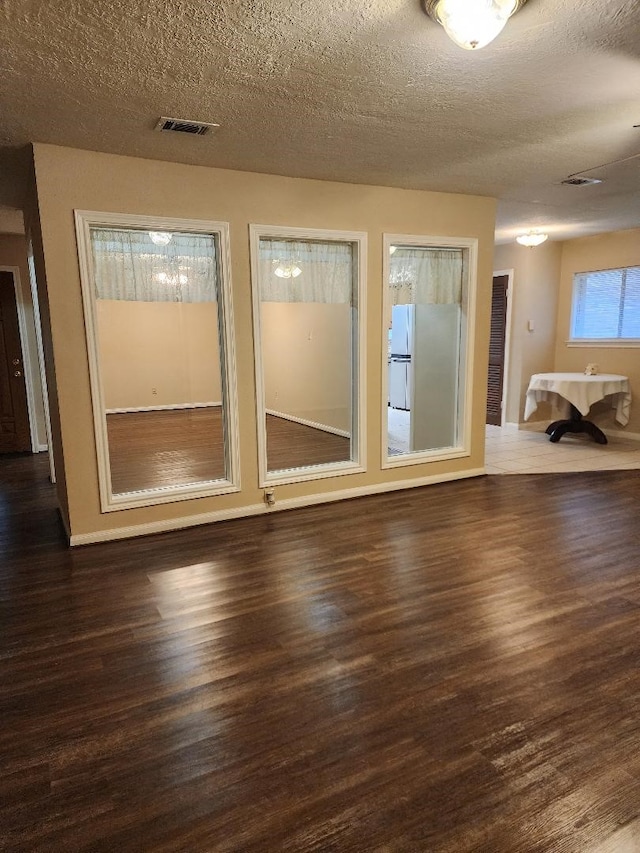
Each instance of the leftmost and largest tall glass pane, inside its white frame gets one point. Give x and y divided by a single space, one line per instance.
159 354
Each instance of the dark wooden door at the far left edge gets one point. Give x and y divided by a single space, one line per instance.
14 415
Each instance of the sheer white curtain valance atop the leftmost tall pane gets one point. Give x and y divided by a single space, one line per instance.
129 265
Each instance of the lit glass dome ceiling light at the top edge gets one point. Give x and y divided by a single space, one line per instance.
472 24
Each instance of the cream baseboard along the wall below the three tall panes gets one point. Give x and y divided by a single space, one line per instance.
166 525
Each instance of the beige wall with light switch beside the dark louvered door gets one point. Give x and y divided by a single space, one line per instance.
536 276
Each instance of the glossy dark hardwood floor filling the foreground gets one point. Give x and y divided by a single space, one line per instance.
447 669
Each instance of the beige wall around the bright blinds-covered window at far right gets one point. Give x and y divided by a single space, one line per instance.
604 251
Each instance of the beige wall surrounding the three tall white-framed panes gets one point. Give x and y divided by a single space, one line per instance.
68 179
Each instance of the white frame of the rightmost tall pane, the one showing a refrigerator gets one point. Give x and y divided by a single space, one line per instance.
465 391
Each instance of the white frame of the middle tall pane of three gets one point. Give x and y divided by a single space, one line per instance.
358 396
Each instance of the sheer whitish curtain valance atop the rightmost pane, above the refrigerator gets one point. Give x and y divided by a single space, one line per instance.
425 276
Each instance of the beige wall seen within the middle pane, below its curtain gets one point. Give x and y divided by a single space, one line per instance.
306 360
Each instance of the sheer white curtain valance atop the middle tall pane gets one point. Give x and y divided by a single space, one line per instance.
305 271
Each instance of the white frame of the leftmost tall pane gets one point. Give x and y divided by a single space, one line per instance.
109 502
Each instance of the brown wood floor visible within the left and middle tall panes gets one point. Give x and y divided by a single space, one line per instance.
149 450
